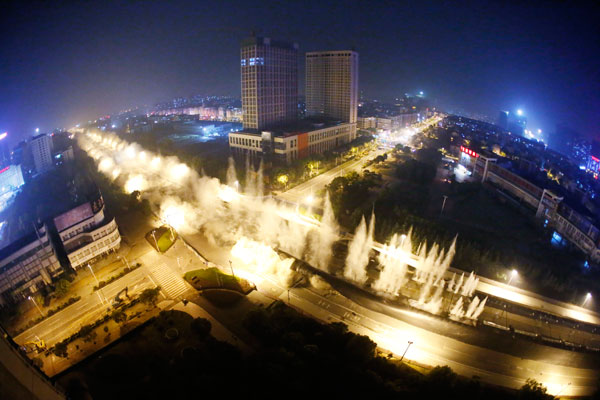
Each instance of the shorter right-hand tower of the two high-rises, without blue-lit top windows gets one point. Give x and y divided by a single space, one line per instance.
332 85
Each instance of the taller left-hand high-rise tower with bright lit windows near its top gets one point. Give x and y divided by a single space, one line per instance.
269 71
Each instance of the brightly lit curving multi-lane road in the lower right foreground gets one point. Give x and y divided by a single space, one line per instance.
433 349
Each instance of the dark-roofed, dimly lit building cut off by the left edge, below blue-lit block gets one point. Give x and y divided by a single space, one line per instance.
27 265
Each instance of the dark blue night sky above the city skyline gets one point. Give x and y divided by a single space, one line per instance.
67 62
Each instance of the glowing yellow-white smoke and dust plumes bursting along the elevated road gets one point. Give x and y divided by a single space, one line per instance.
254 224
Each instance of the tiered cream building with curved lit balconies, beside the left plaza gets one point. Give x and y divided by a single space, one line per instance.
86 233
